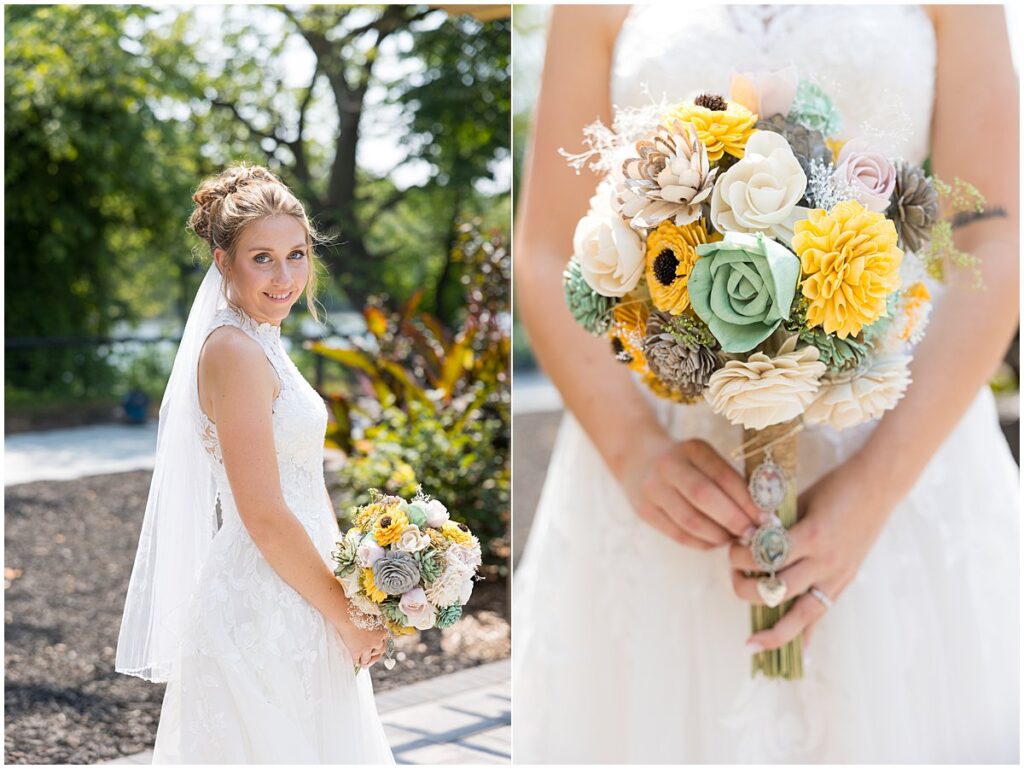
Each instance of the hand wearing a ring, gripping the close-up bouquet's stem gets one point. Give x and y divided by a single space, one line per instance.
841 519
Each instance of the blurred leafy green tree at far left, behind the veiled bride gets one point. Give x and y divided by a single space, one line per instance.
97 185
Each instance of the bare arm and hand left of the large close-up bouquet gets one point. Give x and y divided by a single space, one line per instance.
695 497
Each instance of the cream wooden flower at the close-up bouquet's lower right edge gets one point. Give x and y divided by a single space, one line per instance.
843 403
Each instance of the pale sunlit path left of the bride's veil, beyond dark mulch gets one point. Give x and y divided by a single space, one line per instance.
78 452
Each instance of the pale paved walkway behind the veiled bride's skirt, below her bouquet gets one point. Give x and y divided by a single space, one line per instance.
461 718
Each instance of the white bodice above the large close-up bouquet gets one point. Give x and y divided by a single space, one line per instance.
878 64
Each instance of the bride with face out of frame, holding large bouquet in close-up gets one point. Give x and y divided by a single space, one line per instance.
632 622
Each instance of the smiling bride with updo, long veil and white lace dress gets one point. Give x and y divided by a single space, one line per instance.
247 624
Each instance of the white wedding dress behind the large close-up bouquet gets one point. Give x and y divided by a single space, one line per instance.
629 649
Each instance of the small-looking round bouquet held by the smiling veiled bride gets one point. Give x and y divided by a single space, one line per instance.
406 566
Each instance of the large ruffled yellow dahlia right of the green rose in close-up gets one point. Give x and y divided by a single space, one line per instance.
850 264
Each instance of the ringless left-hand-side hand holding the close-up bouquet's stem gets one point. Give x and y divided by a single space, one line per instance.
690 493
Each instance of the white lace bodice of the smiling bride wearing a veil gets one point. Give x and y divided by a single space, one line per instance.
300 423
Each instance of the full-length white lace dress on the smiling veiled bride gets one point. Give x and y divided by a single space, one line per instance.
262 677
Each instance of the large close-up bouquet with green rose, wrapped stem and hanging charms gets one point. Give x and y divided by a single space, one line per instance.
740 252
